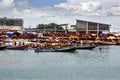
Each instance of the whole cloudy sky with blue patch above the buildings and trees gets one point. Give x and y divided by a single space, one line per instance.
34 12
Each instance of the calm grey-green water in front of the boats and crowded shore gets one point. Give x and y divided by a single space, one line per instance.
101 63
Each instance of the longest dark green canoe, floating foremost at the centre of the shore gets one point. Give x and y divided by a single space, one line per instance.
61 49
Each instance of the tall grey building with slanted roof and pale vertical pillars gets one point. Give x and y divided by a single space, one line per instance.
92 27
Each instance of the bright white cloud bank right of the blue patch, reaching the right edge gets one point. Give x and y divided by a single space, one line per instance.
91 8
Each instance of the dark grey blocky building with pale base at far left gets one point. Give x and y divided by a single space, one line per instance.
11 24
